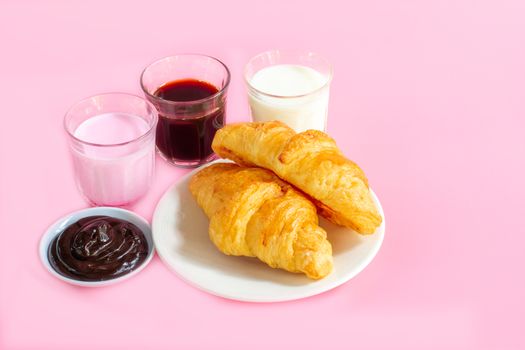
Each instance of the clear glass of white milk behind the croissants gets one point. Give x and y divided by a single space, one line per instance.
290 86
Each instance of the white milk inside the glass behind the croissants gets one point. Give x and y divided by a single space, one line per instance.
296 99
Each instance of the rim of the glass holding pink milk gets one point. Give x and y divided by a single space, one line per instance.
152 125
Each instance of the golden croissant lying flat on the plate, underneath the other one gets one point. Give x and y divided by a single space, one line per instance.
254 213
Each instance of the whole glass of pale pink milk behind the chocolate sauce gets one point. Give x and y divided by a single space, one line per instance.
112 142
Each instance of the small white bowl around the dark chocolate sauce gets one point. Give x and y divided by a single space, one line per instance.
60 225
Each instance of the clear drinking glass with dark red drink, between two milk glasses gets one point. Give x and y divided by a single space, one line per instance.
189 92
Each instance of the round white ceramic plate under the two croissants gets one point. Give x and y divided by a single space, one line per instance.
180 233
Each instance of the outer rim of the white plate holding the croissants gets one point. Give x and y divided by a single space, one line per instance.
337 283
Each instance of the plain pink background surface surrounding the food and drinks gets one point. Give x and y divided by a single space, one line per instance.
428 97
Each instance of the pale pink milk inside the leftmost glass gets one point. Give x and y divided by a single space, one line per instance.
114 161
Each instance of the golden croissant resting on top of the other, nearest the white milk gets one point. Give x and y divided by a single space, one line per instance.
310 161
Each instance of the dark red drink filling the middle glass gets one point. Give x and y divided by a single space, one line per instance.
187 126
